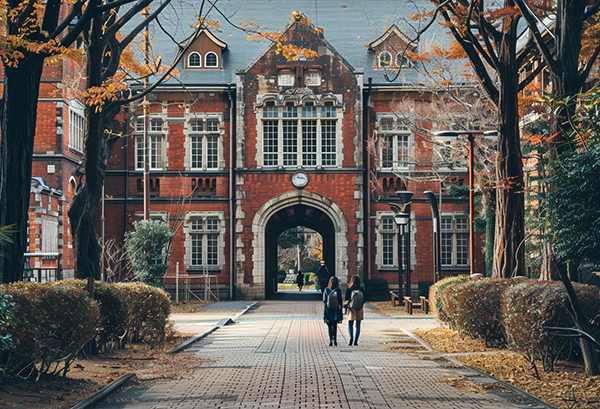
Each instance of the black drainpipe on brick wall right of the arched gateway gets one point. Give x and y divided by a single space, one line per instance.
367 178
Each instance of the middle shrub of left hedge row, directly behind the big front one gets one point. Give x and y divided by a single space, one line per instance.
113 312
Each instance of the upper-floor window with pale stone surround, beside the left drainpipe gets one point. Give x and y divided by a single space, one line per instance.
208 139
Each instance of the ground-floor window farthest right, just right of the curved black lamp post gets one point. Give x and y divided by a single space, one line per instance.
455 241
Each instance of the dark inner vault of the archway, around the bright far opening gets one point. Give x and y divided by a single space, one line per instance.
290 217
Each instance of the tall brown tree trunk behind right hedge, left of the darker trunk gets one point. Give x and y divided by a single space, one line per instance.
509 253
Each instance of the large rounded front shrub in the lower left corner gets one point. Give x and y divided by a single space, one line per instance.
52 322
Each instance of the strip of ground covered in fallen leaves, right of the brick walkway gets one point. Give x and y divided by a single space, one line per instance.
568 387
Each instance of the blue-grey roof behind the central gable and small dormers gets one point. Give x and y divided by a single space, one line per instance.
349 27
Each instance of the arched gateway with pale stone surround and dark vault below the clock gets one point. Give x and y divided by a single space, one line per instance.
290 209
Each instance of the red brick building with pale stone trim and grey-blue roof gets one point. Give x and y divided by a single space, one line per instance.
247 143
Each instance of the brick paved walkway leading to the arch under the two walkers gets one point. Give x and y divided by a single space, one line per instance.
277 356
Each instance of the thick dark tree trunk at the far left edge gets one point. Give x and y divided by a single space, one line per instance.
19 115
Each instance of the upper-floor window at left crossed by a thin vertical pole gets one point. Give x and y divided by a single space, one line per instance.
156 149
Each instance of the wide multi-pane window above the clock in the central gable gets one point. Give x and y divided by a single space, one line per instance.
304 135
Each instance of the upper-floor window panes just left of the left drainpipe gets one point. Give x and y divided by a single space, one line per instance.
204 143
